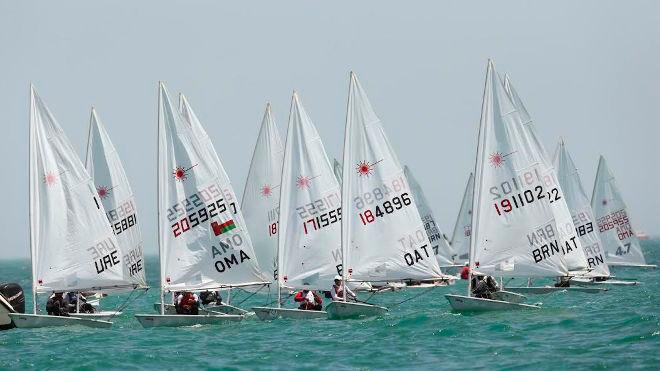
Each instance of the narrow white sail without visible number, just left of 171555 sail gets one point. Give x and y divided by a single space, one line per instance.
261 197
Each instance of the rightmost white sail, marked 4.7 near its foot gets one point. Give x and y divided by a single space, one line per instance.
613 220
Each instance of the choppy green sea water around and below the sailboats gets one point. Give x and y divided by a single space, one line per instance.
619 329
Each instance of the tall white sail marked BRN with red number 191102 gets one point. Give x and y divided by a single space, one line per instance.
521 225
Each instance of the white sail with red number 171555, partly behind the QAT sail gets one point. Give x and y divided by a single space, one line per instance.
309 251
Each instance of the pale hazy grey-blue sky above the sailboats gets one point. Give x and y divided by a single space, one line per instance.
586 70
